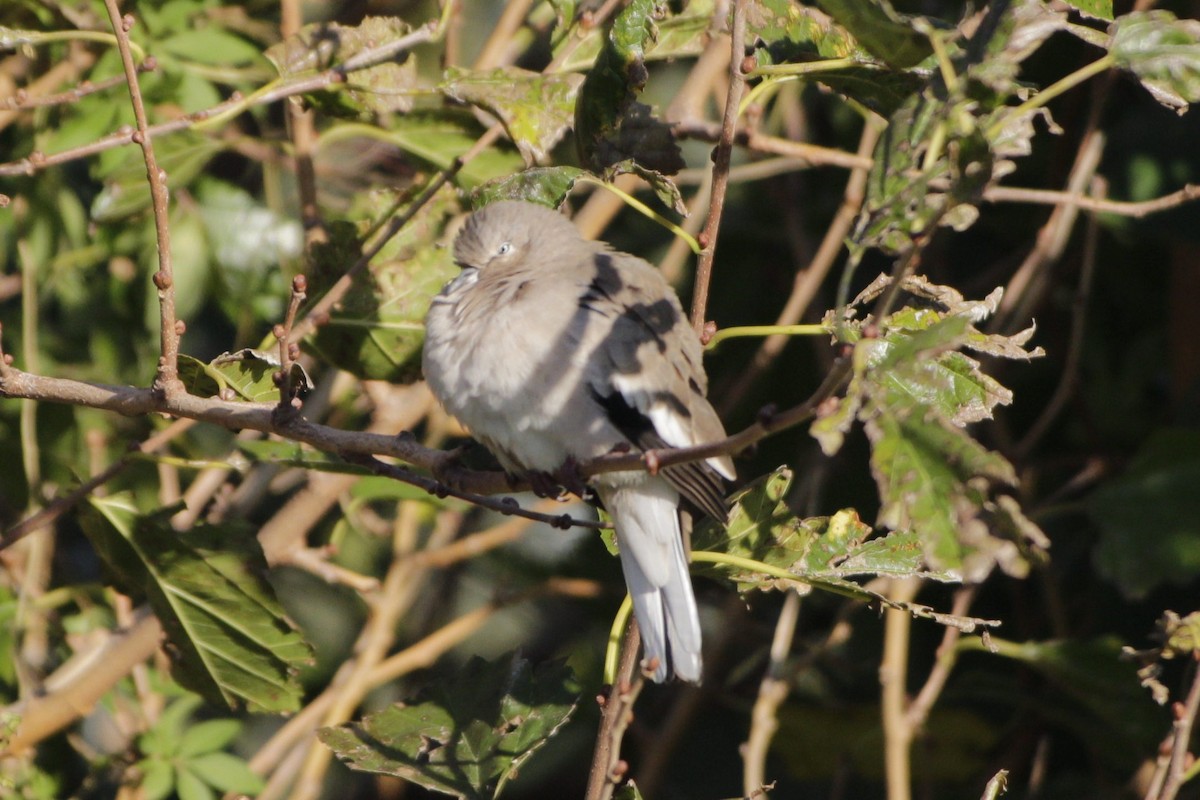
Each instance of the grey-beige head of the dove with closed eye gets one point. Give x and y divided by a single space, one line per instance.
506 233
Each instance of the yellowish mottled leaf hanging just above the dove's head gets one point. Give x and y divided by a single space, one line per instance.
537 110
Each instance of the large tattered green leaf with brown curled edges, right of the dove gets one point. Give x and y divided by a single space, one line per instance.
915 393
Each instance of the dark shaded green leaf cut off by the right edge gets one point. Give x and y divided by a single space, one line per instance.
1150 516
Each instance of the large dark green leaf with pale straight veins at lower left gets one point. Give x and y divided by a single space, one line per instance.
230 637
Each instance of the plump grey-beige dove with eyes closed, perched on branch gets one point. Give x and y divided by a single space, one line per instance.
553 348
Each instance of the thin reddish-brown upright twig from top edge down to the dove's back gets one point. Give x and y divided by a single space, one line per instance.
721 170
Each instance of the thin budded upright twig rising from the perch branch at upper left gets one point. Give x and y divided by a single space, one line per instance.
167 376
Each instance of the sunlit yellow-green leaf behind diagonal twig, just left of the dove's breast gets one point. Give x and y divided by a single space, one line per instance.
379 329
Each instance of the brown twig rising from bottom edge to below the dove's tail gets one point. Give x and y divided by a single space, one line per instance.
617 712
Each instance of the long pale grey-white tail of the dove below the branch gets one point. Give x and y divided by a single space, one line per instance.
647 520
